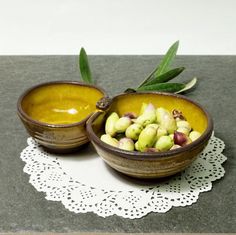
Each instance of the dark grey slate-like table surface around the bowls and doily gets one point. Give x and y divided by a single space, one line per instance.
23 209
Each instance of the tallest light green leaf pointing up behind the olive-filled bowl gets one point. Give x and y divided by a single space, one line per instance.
166 61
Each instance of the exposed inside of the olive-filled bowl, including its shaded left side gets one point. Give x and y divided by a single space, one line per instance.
122 104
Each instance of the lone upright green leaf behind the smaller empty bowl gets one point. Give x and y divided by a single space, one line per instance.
84 67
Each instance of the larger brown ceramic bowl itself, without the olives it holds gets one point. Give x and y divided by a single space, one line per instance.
151 165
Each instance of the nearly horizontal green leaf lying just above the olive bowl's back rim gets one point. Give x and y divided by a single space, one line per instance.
167 87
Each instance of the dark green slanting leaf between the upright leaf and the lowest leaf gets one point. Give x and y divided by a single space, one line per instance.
165 77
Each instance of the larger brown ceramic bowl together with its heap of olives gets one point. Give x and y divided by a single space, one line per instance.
149 134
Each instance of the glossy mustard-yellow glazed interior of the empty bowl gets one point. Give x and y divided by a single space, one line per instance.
60 103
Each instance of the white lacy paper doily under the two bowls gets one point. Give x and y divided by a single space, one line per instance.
84 183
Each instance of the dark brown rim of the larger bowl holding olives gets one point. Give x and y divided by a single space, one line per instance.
150 155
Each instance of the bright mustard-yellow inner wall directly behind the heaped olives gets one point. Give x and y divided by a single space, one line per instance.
132 103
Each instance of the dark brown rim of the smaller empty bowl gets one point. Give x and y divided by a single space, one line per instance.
26 117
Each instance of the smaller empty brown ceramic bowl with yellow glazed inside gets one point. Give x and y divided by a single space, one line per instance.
55 113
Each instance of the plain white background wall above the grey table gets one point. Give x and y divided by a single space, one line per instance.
117 26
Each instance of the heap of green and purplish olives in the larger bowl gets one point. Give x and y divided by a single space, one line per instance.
152 131
